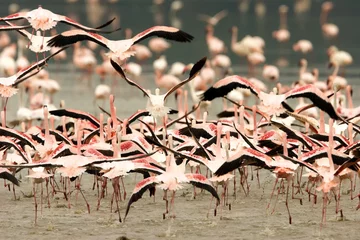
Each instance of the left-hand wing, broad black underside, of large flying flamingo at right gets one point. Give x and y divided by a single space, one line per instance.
226 85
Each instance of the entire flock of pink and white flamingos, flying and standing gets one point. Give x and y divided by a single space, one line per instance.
310 147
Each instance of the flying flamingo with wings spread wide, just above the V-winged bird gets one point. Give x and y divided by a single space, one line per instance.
120 49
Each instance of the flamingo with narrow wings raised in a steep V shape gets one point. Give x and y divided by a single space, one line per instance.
157 108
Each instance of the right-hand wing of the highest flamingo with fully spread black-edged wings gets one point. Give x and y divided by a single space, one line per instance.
169 33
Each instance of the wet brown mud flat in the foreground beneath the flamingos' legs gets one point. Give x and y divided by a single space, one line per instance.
248 218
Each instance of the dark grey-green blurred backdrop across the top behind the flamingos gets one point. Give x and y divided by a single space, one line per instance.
252 17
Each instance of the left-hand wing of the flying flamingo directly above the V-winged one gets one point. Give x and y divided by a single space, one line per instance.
73 36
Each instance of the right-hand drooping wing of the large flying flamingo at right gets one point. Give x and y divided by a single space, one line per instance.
316 96
